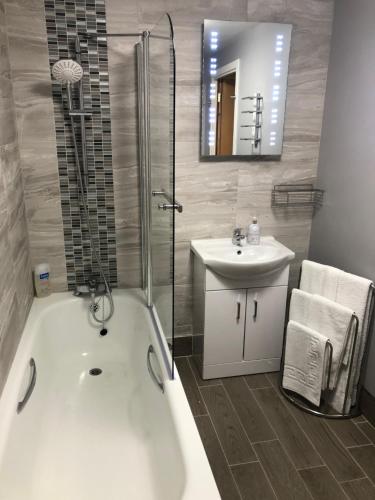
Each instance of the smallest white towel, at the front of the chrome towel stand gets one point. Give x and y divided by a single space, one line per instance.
304 362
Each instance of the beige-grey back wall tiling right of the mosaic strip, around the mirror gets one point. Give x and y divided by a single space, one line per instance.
217 196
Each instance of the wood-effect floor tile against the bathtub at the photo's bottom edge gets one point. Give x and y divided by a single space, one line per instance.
217 460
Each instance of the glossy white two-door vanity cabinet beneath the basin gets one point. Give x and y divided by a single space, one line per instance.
238 325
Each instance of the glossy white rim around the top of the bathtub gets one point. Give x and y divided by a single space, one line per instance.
199 480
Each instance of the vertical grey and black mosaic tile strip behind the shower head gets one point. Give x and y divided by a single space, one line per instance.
65 19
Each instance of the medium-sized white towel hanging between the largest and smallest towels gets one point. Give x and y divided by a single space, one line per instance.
328 318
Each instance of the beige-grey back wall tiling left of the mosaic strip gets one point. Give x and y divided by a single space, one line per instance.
37 137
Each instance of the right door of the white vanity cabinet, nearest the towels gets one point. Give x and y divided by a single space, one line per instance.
265 317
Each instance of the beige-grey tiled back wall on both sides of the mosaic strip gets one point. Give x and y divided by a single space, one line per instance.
216 196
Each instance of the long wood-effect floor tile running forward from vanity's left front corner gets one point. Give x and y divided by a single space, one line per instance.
233 439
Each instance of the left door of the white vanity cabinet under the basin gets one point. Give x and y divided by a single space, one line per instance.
224 326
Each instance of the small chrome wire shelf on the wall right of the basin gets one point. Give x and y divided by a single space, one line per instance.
296 195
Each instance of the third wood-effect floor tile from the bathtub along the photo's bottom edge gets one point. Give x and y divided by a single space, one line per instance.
285 480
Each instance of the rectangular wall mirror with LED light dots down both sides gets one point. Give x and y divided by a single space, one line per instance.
244 83
